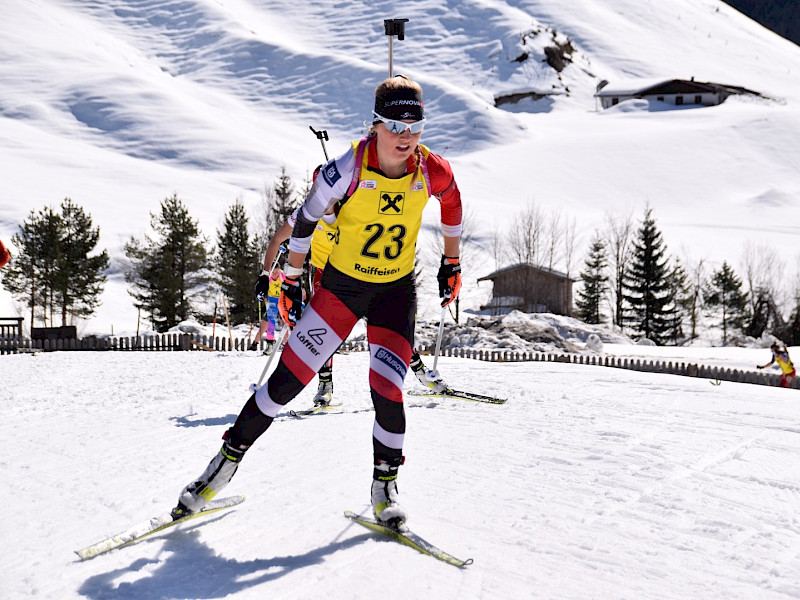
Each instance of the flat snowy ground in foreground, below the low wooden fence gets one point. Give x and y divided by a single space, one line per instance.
588 483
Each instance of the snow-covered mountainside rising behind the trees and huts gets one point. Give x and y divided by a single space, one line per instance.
118 104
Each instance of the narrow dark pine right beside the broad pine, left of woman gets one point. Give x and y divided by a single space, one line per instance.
237 263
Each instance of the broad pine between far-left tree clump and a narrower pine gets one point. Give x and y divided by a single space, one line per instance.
169 272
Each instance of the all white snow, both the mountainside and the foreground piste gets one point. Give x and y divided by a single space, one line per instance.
589 482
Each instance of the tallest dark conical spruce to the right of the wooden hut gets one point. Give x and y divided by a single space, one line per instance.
646 286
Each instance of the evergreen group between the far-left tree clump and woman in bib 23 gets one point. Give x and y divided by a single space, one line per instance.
172 273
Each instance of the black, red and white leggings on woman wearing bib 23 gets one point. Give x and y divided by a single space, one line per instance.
389 309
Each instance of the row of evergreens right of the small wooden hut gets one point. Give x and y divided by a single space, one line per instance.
654 297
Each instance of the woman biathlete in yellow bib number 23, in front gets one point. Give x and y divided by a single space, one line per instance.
379 188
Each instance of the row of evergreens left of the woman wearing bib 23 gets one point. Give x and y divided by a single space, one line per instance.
59 275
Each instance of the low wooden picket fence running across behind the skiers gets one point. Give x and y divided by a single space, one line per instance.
186 342
